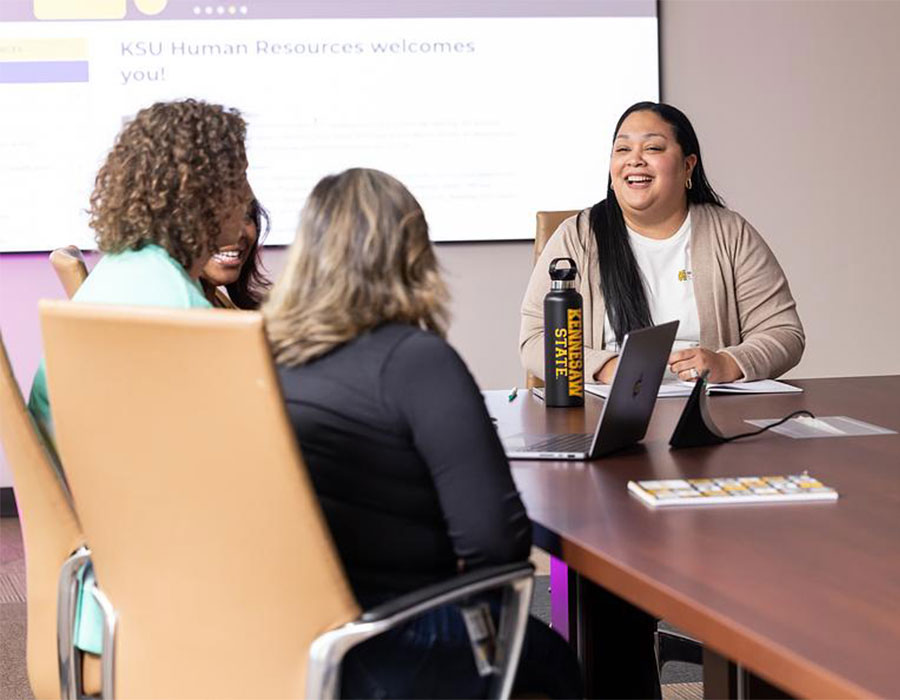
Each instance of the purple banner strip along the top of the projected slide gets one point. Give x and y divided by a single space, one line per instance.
23 10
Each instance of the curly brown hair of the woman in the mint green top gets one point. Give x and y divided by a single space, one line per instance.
172 171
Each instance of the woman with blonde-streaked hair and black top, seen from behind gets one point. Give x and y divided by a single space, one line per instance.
408 468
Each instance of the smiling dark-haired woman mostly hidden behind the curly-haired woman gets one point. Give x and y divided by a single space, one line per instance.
238 268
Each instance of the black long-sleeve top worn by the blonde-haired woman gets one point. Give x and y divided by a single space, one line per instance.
408 468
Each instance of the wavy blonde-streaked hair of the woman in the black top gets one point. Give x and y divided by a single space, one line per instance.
362 257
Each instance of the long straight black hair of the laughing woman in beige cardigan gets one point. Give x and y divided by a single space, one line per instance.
620 279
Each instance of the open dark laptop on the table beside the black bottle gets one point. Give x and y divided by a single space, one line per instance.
627 411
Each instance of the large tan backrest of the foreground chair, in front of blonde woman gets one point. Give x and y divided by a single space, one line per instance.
205 533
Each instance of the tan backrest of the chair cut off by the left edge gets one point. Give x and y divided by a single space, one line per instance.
49 527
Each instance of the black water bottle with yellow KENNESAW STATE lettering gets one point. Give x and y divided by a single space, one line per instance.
563 338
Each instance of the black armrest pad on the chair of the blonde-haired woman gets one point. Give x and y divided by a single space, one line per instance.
450 590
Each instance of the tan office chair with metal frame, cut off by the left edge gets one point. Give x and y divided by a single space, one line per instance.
54 550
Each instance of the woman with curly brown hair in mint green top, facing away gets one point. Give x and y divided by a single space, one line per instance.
172 191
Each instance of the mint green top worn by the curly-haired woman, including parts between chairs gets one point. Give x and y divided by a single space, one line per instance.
145 277
